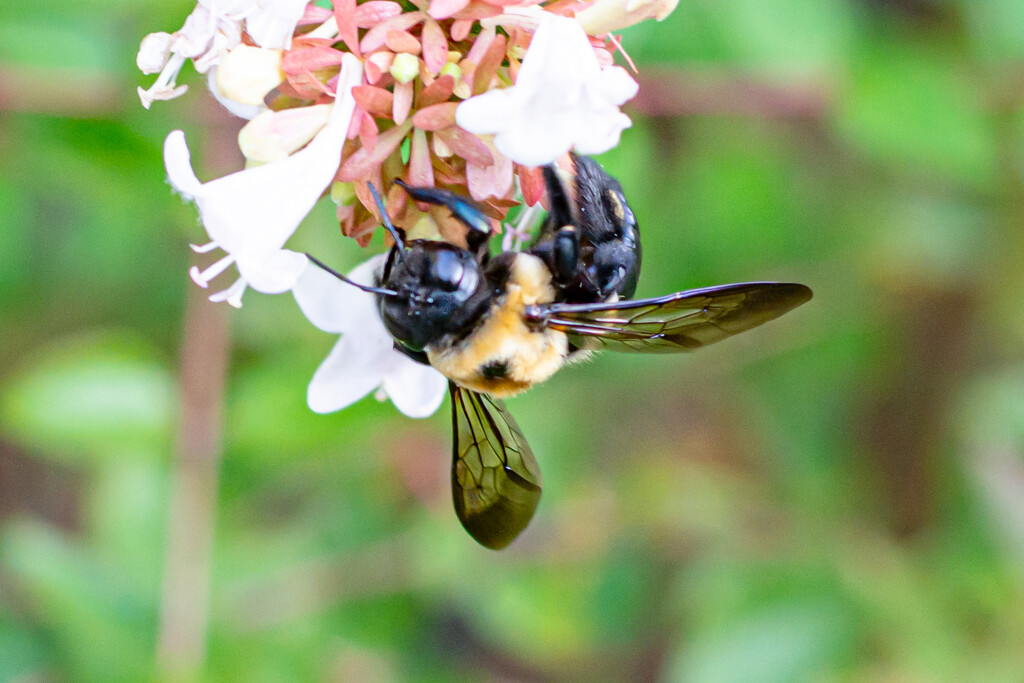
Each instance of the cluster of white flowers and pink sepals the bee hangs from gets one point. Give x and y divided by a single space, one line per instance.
471 96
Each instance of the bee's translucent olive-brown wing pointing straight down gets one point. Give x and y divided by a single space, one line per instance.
496 482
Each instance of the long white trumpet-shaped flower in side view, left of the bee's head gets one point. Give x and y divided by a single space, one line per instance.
251 215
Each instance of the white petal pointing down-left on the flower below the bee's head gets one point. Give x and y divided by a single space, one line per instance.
351 372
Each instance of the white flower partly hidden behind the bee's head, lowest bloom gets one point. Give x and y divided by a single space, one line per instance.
365 358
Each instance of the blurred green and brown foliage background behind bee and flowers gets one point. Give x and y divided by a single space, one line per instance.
836 497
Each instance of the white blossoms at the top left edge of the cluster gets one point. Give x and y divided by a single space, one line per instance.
214 29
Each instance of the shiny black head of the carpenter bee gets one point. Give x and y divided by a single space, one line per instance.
441 292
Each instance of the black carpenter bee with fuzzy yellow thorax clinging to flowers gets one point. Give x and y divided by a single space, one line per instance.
497 325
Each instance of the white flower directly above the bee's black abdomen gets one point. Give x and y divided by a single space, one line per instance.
563 100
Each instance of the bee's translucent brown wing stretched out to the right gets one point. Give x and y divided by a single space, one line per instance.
680 322
